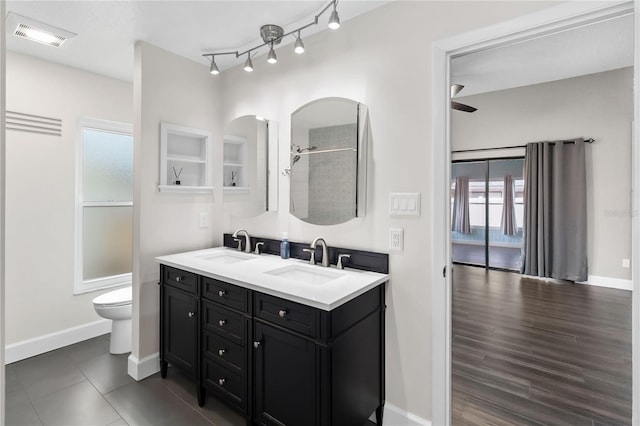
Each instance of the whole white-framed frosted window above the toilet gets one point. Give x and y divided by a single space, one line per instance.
105 206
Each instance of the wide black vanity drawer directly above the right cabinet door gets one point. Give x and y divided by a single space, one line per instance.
285 313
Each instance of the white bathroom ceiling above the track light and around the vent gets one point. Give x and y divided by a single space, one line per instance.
107 30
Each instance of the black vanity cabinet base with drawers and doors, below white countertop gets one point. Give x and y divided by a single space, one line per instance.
276 361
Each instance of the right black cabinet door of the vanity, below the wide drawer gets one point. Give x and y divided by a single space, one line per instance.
286 389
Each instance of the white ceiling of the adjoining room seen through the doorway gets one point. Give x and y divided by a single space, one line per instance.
598 47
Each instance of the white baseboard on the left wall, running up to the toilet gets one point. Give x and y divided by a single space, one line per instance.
41 344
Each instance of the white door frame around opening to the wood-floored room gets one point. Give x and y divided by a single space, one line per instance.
559 18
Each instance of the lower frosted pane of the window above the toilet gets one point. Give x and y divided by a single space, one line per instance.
107 241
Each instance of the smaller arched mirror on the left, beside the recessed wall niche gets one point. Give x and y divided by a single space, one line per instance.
249 166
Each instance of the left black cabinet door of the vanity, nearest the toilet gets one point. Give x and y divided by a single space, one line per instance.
180 328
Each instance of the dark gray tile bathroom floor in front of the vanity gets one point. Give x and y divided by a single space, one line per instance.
83 384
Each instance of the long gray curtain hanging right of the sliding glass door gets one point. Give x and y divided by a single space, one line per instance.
555 237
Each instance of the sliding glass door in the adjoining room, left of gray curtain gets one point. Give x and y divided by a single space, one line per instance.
487 212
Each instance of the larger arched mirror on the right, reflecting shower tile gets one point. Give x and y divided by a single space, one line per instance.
327 167
